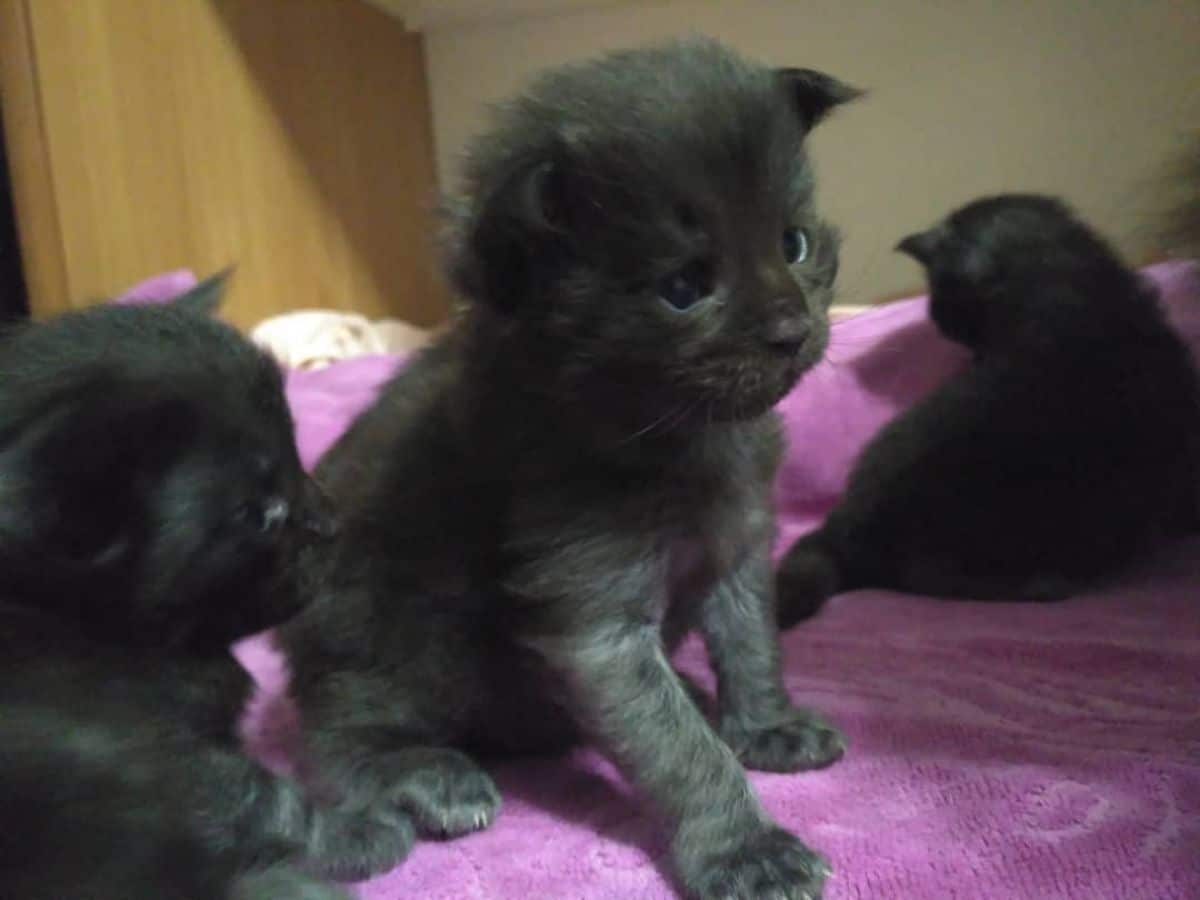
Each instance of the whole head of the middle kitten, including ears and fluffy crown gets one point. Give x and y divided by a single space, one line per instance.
649 221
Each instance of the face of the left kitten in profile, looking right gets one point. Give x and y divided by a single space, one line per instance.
226 520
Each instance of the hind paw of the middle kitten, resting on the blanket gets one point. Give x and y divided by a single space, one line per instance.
447 794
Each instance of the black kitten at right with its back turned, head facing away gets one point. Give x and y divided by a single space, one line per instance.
1066 451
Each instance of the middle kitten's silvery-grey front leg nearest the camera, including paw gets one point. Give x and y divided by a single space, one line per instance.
627 694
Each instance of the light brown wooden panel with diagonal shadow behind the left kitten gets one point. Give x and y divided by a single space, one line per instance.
289 137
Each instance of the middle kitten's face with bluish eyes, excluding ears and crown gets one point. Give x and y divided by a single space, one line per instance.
712 293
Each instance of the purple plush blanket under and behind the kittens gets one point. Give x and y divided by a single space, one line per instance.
997 752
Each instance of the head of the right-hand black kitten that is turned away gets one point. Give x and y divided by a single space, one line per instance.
1003 267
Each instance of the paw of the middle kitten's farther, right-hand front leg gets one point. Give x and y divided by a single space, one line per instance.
801 741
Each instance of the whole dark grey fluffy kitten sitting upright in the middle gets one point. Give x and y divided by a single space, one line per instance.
547 501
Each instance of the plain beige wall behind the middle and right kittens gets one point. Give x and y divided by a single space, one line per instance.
1088 99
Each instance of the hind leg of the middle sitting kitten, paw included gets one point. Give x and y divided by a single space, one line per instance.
379 737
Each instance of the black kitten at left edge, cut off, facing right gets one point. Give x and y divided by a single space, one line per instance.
153 511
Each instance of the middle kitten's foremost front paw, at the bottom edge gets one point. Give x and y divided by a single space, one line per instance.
770 865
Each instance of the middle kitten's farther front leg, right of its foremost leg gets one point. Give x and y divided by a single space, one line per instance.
757 716
